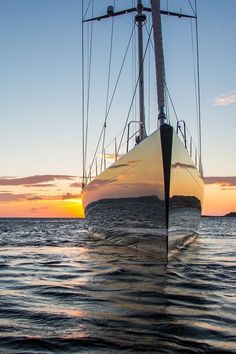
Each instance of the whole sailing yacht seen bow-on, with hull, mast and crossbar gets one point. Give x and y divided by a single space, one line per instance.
151 197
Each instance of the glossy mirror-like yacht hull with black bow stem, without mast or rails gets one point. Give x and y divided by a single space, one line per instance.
150 198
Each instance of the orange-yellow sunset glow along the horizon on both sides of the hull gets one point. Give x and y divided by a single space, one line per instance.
219 200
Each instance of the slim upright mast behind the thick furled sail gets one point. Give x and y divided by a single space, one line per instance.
140 18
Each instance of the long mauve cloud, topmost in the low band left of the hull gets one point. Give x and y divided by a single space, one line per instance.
32 180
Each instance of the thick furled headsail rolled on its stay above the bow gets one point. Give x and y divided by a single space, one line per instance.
159 59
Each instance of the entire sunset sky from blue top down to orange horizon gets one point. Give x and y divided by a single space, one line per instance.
40 102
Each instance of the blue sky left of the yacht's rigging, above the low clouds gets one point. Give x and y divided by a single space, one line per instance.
40 86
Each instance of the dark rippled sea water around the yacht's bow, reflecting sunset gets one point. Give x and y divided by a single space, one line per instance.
65 291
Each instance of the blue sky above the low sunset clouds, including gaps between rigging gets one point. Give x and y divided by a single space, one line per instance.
40 90
